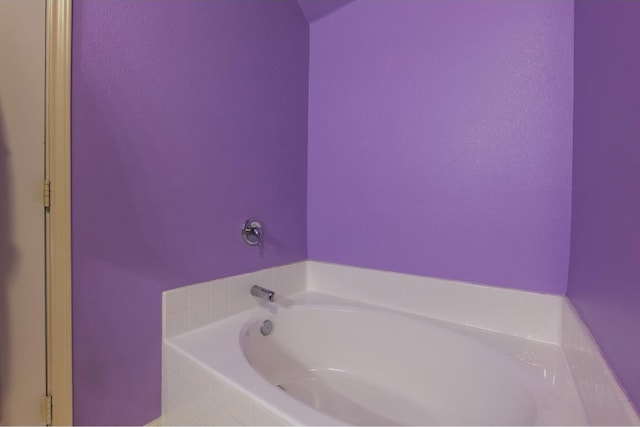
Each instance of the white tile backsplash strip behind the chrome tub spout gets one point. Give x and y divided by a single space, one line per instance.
193 306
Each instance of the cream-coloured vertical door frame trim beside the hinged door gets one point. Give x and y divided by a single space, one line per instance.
58 218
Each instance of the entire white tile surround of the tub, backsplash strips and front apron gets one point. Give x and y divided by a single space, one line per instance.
193 394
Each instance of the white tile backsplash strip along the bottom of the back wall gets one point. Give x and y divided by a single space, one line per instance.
507 311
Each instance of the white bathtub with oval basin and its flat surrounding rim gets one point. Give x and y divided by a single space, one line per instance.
341 362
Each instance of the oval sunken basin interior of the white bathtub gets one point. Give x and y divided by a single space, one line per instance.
363 367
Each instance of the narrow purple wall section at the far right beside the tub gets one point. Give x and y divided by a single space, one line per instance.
604 274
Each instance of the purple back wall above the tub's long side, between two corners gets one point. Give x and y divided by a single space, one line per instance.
440 139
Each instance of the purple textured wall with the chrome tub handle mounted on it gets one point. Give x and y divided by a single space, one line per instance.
188 117
